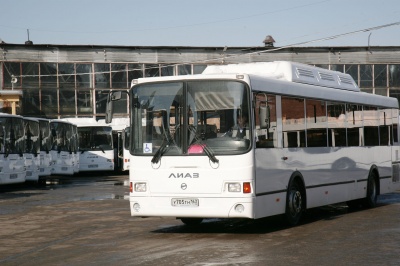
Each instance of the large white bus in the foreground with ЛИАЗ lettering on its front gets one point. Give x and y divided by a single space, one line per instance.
312 139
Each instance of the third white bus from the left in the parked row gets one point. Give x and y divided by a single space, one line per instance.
45 140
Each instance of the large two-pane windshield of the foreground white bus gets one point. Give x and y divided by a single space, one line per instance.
207 117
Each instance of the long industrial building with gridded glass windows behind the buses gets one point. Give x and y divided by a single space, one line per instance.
58 81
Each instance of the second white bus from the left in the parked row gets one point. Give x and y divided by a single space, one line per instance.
32 148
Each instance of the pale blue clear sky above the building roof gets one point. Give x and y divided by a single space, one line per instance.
205 23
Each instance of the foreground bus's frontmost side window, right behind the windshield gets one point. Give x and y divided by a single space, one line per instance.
265 120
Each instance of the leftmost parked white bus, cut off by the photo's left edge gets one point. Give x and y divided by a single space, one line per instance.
12 146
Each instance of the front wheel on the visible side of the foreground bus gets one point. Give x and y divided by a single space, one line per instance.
295 202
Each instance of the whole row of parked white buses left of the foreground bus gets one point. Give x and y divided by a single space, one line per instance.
31 148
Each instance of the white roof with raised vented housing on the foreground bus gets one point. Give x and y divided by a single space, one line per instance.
290 79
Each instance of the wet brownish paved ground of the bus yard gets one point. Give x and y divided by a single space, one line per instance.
85 220
